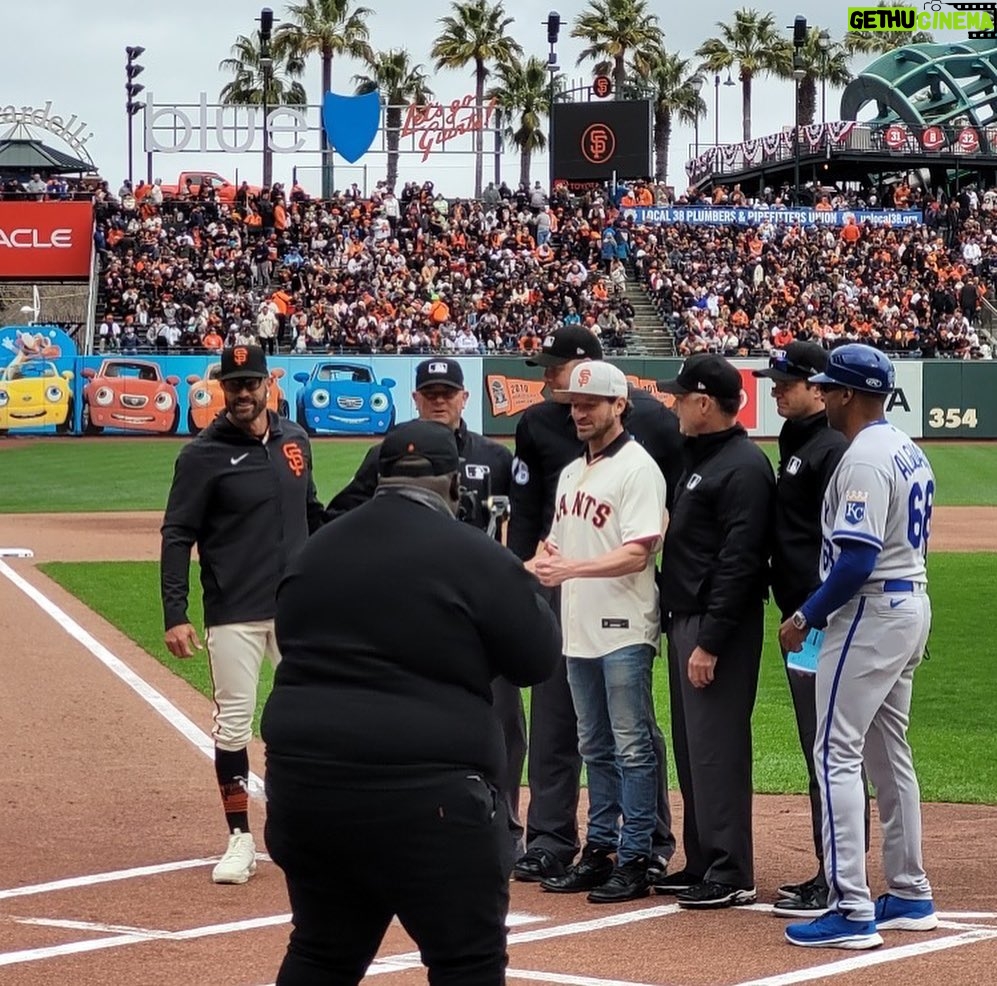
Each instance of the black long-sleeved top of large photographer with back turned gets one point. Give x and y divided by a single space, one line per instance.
392 623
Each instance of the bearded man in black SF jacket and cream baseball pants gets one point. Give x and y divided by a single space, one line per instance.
243 493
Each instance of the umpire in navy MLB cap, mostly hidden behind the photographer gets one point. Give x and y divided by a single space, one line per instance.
486 471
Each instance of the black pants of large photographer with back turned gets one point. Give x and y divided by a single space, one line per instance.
353 859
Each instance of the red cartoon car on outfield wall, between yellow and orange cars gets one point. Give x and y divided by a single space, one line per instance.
131 395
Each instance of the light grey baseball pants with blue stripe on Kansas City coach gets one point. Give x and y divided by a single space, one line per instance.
865 676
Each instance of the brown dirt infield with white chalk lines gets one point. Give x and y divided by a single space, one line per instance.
110 823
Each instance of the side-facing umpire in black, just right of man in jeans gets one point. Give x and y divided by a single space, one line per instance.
714 581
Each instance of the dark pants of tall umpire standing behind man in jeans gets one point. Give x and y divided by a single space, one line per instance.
554 771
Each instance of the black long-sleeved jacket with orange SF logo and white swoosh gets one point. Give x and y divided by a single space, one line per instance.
249 507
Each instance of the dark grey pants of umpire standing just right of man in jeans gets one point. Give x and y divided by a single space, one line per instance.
711 741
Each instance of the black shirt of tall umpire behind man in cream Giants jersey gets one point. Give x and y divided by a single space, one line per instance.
546 441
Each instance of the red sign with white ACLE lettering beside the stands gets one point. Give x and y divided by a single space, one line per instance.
45 240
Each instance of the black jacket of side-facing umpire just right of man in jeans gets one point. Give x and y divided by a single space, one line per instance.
715 557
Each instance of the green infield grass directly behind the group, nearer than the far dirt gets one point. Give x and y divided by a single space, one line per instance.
952 732
